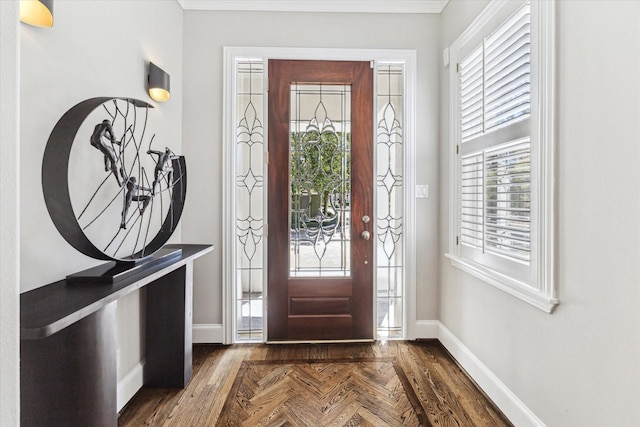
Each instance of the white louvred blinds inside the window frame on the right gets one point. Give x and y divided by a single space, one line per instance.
495 167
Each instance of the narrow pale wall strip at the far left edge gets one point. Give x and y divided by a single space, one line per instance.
9 214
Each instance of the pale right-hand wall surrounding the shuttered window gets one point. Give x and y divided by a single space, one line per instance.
580 365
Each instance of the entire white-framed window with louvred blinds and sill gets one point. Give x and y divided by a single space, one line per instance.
501 195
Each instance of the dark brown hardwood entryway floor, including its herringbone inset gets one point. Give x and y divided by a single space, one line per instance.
440 393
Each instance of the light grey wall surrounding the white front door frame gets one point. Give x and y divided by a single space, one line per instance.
206 33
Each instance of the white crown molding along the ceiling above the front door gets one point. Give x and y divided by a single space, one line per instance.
343 6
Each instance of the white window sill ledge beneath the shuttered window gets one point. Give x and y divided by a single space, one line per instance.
511 286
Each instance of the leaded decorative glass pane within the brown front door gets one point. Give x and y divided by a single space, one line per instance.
320 168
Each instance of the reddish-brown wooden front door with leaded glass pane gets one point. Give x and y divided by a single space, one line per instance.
320 268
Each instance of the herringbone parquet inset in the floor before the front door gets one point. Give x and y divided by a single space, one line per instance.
325 392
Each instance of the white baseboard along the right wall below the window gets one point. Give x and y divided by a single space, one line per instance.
517 412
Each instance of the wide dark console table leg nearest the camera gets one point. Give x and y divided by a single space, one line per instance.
69 378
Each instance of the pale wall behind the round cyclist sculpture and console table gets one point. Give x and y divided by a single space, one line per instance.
96 48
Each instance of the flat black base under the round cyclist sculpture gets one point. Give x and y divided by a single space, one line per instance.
114 271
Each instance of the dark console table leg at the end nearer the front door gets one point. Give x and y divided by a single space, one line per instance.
168 330
